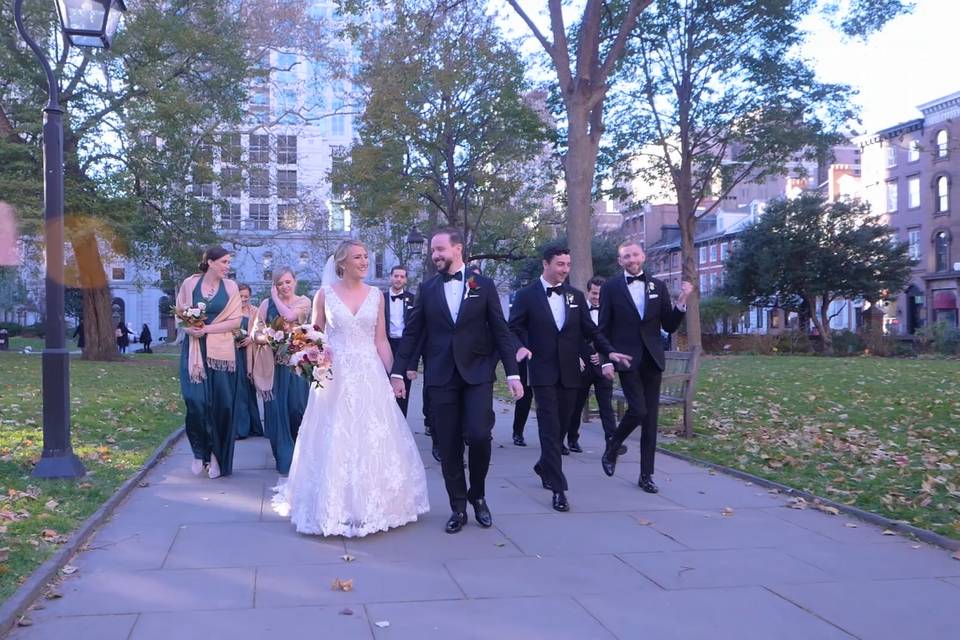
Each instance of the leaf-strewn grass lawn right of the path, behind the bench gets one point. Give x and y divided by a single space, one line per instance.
882 434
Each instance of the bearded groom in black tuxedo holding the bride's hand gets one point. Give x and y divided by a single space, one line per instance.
459 321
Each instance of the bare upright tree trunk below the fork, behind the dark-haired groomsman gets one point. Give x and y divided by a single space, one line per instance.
580 165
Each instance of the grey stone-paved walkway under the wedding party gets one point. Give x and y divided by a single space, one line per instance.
185 558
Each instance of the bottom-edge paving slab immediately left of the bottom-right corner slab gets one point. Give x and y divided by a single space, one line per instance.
749 613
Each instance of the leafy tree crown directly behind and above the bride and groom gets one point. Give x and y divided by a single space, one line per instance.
448 128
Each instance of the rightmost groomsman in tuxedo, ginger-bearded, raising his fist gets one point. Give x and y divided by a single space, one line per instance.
634 307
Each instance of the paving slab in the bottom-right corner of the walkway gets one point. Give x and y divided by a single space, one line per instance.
883 609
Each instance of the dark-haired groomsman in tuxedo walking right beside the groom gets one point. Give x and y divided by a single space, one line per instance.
552 323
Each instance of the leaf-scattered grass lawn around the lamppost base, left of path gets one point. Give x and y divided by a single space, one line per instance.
121 412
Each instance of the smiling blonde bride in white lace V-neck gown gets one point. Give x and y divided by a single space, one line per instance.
356 469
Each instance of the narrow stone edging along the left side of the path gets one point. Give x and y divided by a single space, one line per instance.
17 604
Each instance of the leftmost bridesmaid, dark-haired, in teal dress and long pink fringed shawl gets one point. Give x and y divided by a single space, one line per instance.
208 361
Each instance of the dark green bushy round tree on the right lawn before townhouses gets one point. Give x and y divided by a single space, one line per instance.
813 251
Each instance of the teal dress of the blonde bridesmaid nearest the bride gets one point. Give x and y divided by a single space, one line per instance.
282 414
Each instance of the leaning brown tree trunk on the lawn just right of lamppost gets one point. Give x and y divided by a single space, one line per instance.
98 334
